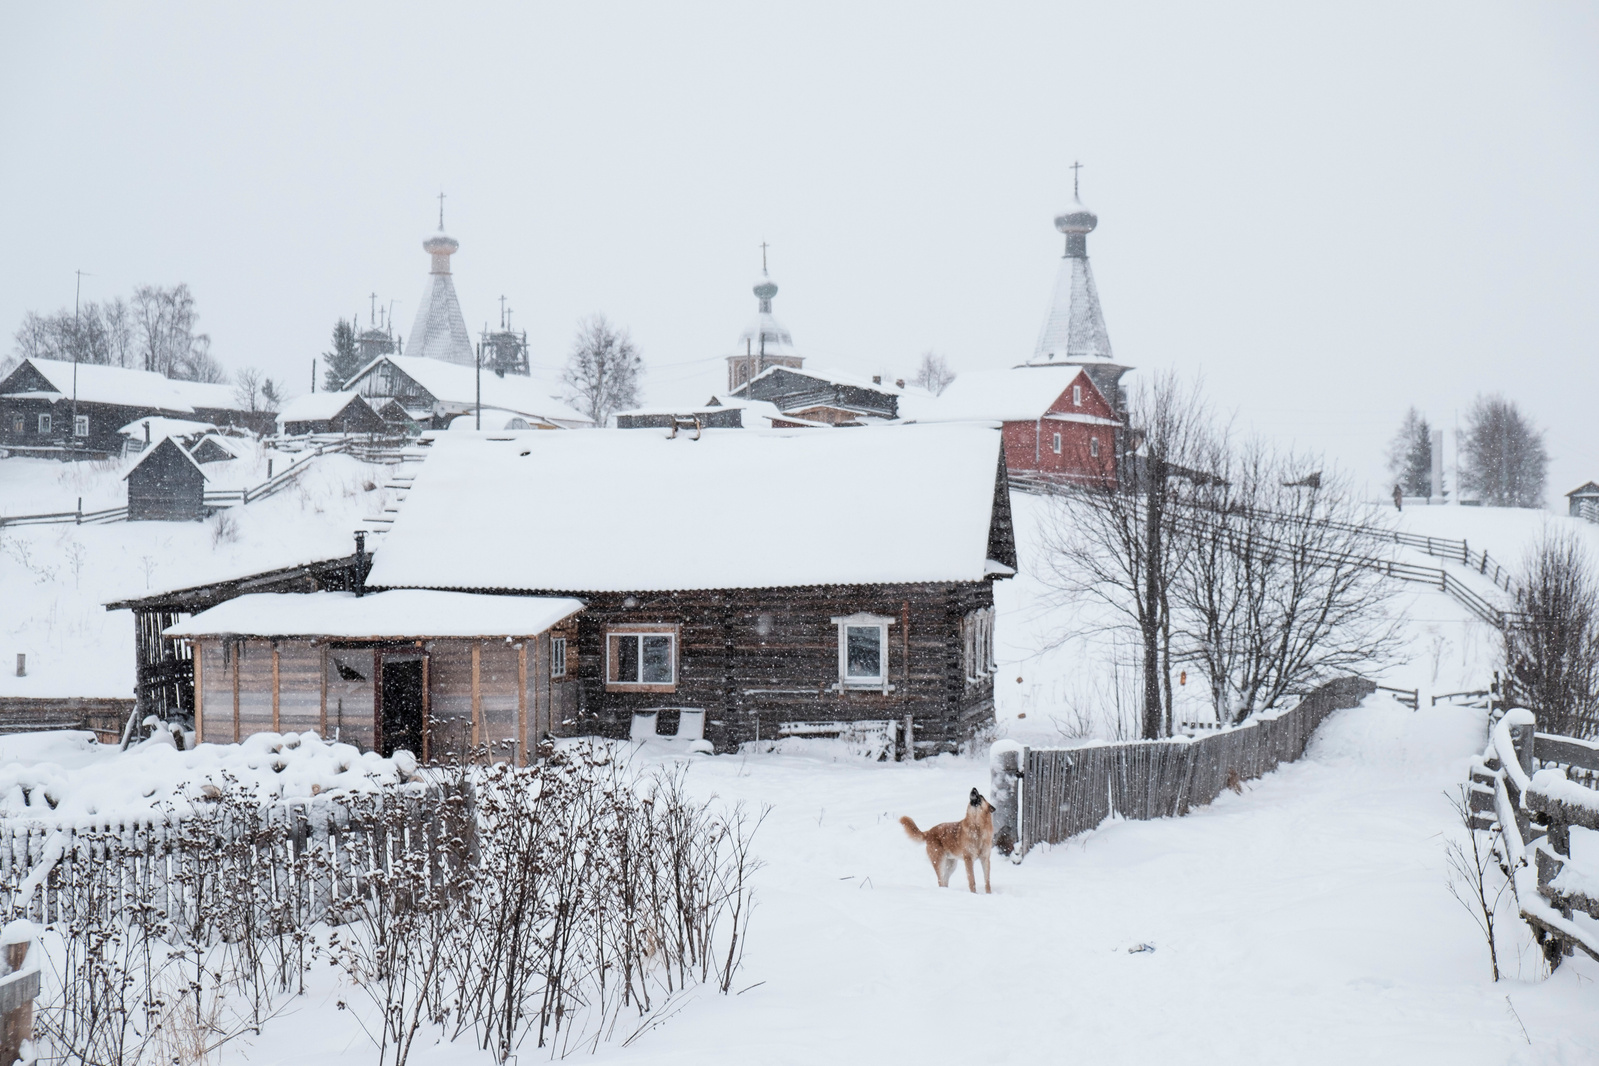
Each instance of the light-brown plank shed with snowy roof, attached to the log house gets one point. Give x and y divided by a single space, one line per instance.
437 674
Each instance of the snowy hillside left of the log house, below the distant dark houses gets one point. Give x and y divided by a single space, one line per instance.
55 579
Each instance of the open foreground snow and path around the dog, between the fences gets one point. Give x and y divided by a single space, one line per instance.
1304 921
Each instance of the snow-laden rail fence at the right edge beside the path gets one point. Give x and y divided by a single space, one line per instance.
1534 789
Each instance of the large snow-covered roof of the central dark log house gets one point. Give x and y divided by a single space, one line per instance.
632 511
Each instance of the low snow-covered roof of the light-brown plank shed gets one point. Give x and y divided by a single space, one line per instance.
397 615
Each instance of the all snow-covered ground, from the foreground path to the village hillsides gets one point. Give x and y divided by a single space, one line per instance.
1304 921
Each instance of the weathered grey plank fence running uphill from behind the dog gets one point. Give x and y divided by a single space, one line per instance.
1050 795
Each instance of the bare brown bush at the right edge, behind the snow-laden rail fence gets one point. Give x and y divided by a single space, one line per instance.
1553 658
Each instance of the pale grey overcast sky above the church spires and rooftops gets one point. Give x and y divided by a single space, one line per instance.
1330 215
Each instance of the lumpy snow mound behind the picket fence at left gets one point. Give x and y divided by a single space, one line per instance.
154 778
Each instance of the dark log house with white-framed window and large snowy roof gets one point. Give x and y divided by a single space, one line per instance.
776 583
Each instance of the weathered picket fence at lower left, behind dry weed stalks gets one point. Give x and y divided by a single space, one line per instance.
233 864
